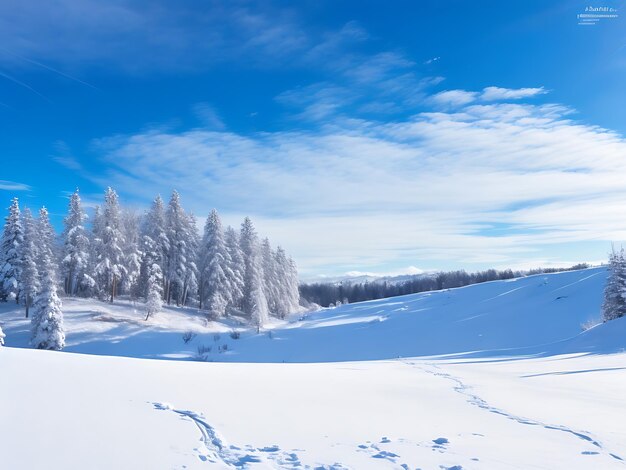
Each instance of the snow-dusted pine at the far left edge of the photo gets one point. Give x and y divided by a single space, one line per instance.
10 267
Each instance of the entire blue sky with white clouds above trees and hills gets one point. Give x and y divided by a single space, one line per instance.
362 136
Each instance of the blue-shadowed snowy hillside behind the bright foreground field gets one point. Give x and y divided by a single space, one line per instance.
539 314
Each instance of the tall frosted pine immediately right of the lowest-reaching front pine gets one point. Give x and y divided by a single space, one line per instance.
75 261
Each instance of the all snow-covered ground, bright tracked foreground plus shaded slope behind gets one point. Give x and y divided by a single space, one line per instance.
491 376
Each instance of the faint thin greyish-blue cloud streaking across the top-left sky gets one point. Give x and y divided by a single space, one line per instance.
144 36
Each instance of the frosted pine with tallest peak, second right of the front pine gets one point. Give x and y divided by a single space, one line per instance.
108 240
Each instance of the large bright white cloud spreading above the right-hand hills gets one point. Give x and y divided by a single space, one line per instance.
359 195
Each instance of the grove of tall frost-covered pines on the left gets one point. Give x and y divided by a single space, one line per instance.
159 256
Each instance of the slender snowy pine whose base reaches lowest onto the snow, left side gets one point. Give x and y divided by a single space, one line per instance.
47 330
